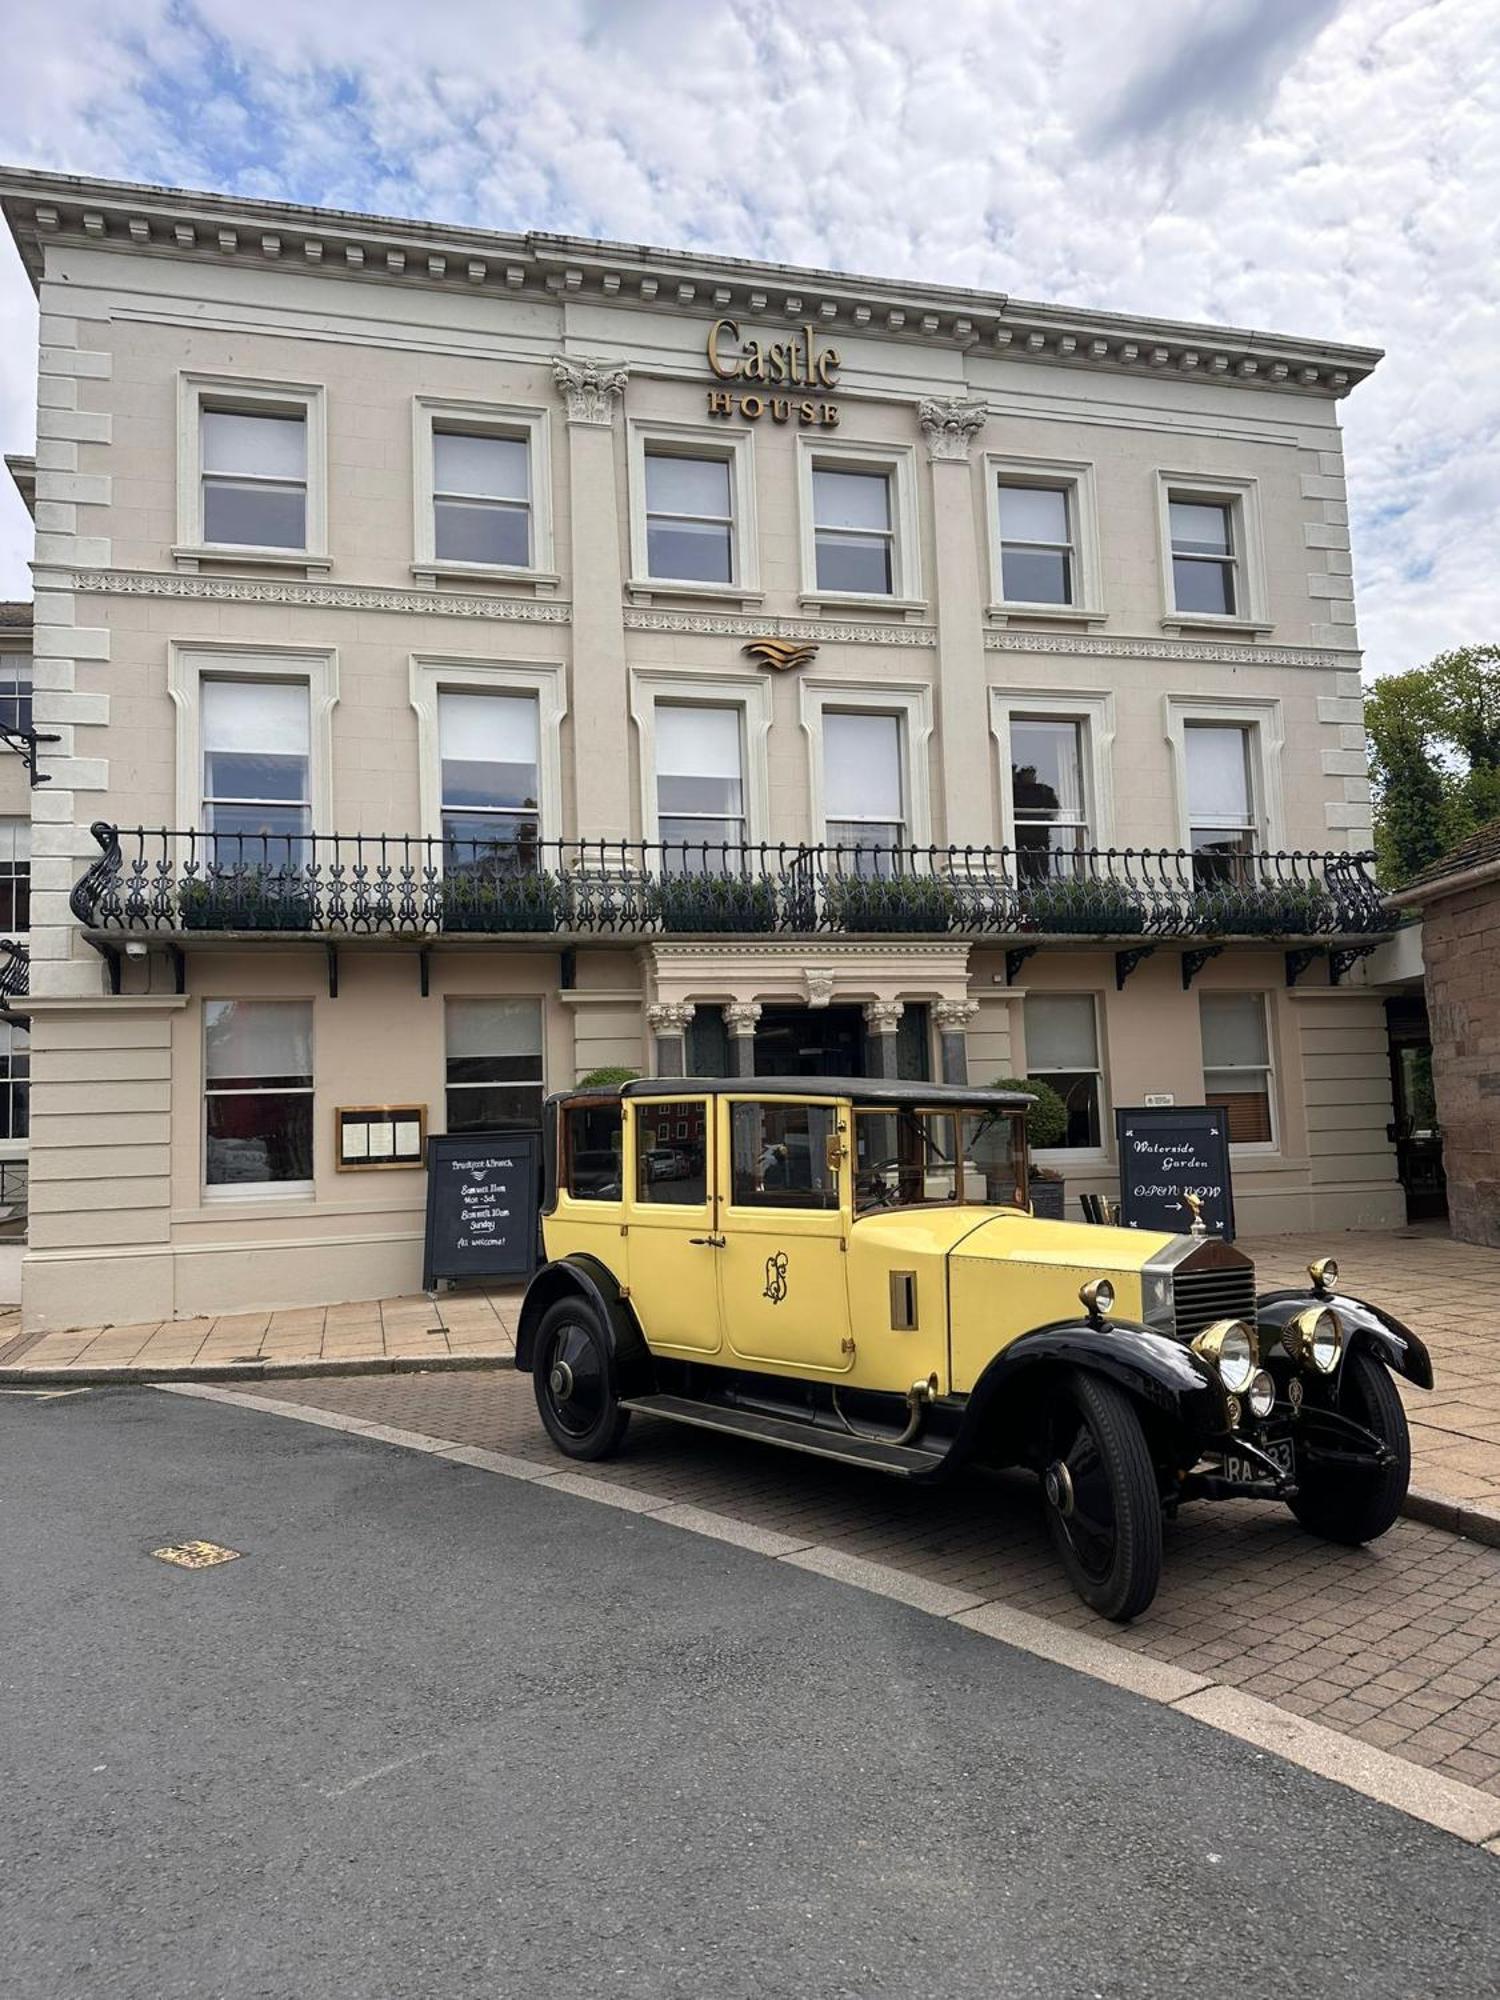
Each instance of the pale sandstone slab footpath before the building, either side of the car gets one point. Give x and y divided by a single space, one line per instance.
1447 1291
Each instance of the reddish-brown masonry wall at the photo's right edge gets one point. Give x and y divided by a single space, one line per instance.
1461 943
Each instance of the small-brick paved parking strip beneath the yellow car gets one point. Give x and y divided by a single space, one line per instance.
1397 1645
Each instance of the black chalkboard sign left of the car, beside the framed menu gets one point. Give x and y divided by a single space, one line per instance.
483 1203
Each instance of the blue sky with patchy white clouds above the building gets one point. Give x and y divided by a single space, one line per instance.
1297 165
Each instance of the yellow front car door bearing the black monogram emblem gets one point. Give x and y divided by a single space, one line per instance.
783 1223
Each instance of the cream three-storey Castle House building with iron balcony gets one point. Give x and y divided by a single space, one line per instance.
475 659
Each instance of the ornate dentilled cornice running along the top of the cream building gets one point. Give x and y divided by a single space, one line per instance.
389 251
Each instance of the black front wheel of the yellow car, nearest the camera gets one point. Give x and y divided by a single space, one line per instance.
1103 1507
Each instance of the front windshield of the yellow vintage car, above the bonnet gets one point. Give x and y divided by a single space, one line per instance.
909 1159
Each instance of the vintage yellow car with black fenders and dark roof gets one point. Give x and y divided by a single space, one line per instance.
853 1269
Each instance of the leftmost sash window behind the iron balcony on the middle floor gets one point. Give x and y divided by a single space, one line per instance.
257 771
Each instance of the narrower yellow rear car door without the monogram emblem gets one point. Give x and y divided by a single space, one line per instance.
669 1213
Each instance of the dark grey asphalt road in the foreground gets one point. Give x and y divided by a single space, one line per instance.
445 1735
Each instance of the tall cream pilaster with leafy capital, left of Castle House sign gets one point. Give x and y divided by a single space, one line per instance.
599 707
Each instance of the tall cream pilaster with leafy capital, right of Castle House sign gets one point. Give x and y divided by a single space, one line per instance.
951 427
